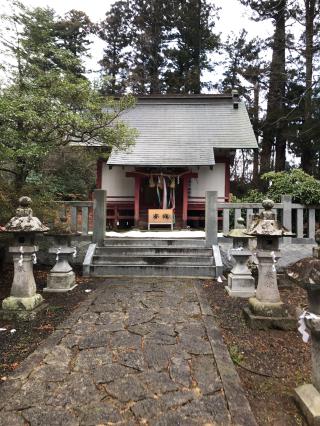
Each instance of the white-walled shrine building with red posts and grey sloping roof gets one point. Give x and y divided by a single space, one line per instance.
185 147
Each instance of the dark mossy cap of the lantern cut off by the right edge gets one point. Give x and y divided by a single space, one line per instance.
306 273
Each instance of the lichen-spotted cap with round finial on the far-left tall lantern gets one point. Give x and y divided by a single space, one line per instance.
24 221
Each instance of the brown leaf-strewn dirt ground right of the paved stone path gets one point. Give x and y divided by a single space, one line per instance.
270 363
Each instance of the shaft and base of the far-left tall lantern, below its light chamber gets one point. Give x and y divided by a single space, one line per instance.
23 296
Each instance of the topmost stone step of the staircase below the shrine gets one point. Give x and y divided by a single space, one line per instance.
155 242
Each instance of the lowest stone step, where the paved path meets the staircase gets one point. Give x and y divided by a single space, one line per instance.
152 271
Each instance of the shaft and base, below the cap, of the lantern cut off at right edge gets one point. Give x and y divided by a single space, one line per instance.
308 396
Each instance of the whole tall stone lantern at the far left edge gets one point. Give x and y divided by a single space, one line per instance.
24 301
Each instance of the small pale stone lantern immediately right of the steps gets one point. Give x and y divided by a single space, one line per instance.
240 280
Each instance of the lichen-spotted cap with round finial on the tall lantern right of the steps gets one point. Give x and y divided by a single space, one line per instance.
267 225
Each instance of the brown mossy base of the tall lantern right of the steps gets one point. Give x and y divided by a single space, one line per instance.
264 316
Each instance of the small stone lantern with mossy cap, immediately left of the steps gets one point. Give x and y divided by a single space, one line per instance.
61 278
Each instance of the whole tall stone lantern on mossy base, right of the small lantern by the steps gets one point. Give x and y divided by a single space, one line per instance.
266 310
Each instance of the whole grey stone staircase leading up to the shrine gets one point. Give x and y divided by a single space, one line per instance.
153 257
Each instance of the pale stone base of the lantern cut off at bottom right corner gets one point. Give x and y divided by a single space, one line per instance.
308 399
